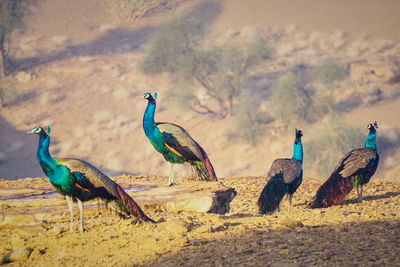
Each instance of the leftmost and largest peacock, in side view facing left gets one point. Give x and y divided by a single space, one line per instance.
77 179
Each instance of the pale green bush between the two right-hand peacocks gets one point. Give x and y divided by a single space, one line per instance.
328 143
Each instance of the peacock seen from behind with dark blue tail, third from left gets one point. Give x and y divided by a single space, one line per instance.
284 177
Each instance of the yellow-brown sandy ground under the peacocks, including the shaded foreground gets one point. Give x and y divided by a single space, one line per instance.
356 234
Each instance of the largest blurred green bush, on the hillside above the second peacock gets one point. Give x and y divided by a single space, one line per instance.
218 71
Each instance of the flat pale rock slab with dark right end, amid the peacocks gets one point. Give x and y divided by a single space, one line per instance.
211 197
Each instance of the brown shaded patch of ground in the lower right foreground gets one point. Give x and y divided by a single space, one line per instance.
351 244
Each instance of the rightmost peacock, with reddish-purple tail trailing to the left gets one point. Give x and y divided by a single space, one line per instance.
355 169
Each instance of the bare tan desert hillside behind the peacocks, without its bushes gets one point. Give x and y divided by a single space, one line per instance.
77 68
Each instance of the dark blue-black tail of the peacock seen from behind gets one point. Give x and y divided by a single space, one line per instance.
272 195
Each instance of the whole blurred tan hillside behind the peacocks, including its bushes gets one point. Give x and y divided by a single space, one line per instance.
239 77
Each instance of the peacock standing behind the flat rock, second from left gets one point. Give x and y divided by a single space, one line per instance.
175 144
